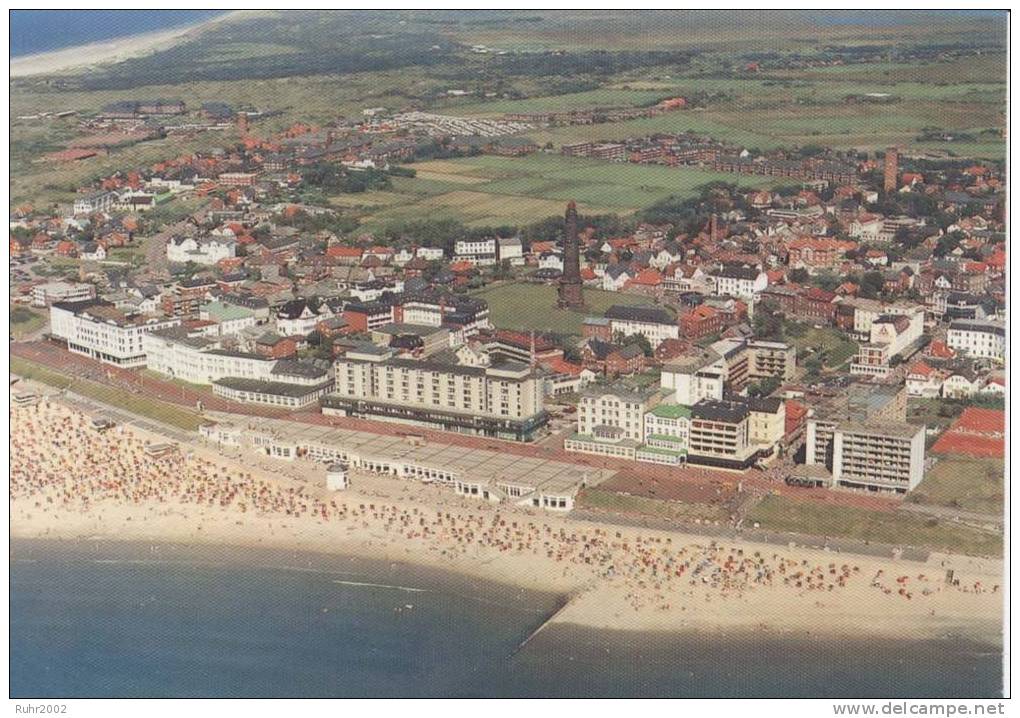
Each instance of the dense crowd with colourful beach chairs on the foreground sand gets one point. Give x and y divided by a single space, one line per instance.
63 464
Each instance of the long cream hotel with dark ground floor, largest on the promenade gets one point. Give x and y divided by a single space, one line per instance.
504 400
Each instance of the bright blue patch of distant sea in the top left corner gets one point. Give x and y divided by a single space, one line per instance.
44 31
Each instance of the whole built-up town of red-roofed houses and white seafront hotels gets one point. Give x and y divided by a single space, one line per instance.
728 334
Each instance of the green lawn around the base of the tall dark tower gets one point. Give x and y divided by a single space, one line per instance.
526 307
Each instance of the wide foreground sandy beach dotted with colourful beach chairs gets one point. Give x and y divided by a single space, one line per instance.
70 482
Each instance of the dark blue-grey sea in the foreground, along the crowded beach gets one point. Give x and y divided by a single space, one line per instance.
114 621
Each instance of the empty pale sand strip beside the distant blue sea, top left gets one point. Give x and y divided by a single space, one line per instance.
108 52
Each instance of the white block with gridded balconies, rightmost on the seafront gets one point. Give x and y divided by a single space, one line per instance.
879 456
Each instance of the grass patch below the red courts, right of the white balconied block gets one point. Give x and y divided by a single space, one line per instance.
964 483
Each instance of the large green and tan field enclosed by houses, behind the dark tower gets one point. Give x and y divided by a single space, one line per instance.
494 191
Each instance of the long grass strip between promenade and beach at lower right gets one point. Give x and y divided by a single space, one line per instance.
899 529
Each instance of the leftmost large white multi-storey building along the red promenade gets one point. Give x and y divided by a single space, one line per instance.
100 331
